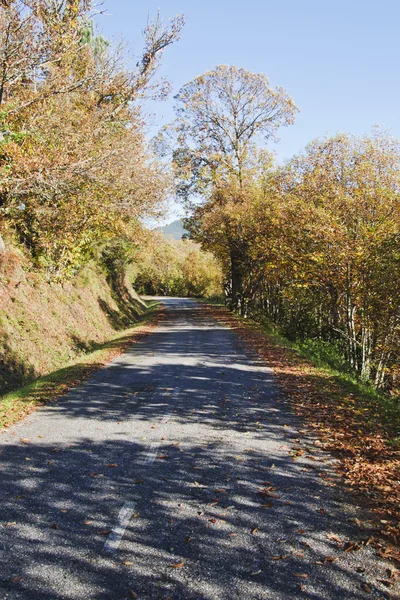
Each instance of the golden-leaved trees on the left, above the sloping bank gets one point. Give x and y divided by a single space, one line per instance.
76 173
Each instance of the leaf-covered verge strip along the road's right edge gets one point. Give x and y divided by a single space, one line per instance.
354 422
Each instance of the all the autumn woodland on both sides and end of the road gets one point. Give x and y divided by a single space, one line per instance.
311 247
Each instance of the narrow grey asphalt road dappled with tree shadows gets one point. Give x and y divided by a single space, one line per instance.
177 473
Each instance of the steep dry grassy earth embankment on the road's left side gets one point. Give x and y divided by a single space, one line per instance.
44 326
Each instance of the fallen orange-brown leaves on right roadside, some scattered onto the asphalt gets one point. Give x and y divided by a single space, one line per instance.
368 461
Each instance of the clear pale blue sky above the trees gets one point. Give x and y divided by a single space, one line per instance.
338 59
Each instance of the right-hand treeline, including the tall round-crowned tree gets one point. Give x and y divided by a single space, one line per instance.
312 246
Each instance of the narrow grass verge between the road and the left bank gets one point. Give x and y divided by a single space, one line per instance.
16 405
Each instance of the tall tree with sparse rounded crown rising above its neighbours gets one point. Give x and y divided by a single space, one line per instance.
223 116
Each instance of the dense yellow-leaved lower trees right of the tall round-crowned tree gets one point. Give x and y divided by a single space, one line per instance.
322 252
